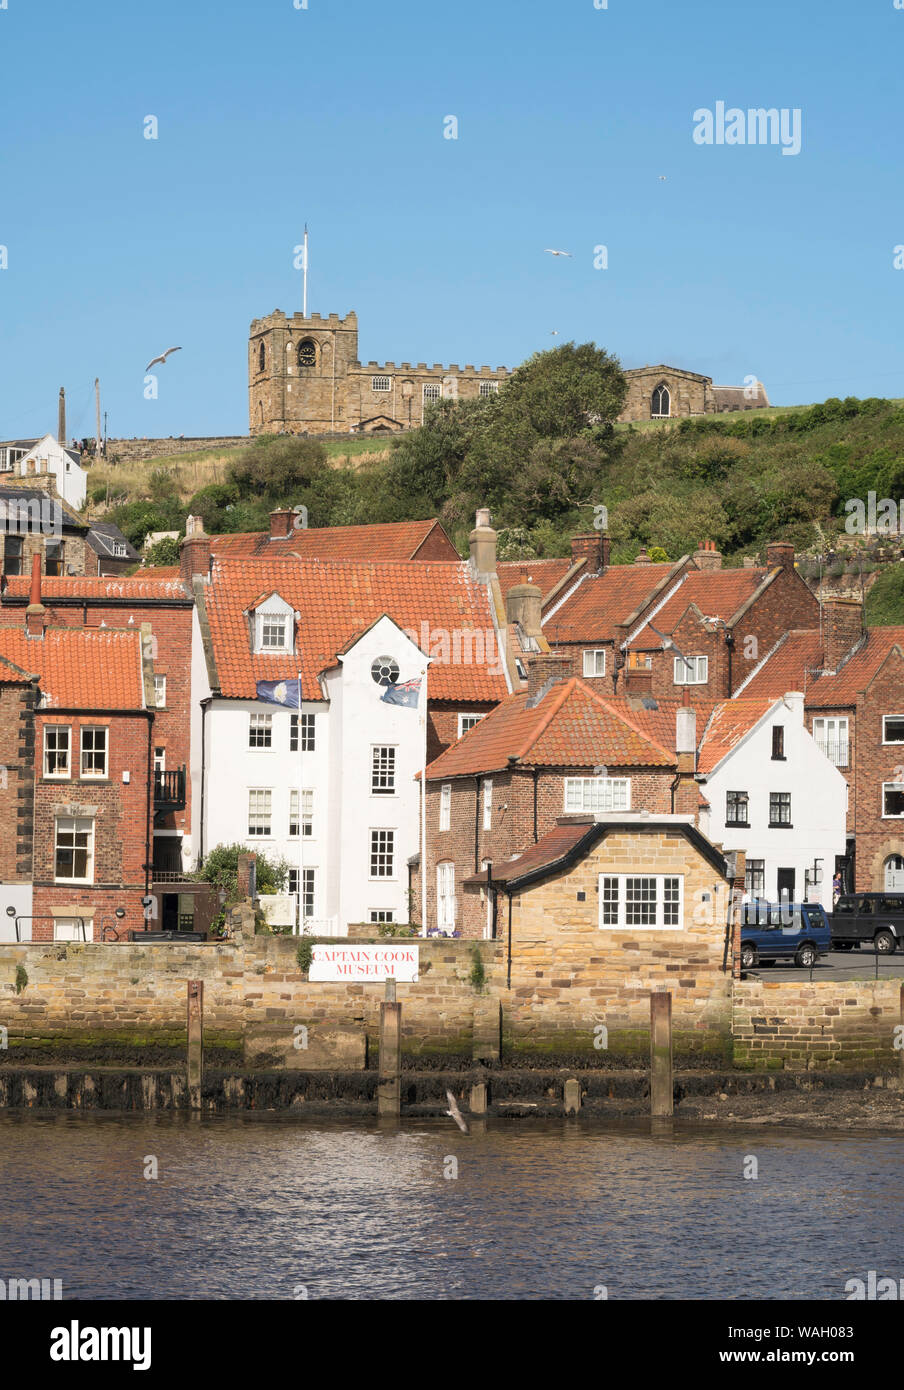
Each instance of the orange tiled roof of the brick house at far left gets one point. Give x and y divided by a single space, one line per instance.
81 668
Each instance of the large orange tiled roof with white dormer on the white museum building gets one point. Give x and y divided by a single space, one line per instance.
340 600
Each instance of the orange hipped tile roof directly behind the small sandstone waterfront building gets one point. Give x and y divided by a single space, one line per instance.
571 728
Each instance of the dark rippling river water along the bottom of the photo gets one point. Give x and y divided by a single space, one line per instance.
265 1207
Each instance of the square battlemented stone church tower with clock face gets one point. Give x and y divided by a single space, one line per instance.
298 370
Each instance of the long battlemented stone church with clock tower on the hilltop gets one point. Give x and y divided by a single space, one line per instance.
304 377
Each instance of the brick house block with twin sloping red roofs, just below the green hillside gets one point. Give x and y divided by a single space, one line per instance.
672 626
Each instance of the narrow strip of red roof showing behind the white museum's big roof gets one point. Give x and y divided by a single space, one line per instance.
383 541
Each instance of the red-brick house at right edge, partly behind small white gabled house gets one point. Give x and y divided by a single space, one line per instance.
852 679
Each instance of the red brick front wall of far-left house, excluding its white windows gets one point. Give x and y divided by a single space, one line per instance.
120 824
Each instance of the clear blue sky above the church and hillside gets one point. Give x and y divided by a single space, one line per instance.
739 262
